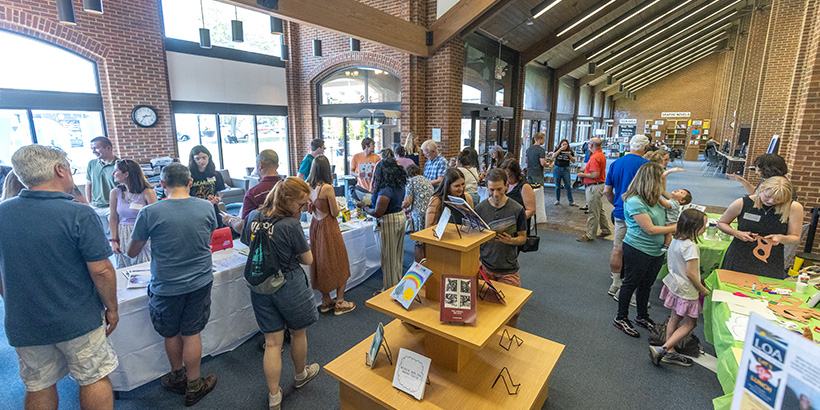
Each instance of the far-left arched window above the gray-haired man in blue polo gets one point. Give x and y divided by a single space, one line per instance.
48 96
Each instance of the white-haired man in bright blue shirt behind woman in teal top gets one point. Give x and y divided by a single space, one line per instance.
617 181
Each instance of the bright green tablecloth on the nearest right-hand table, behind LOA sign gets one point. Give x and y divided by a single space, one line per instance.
717 333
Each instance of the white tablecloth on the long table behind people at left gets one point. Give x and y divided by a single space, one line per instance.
141 351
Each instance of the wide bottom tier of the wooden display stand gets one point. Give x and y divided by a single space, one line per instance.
362 388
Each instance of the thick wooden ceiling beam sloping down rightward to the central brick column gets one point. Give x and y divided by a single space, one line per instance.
350 18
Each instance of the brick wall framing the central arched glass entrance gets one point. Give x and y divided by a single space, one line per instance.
431 87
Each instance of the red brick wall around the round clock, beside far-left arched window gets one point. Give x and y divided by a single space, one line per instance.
126 42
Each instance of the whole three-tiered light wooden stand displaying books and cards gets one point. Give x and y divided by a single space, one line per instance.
465 358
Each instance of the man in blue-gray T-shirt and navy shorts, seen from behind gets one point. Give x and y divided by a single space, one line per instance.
179 297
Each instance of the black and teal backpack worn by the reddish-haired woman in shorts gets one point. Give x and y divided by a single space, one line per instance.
263 271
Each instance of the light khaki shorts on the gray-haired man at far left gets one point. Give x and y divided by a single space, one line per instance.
88 358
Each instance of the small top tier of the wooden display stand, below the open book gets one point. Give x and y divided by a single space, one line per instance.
451 255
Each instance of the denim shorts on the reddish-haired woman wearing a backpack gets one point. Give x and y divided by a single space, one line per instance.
292 305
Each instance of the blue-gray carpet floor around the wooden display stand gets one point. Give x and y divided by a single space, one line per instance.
601 368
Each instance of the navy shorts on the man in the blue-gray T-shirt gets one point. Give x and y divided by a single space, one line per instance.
185 314
